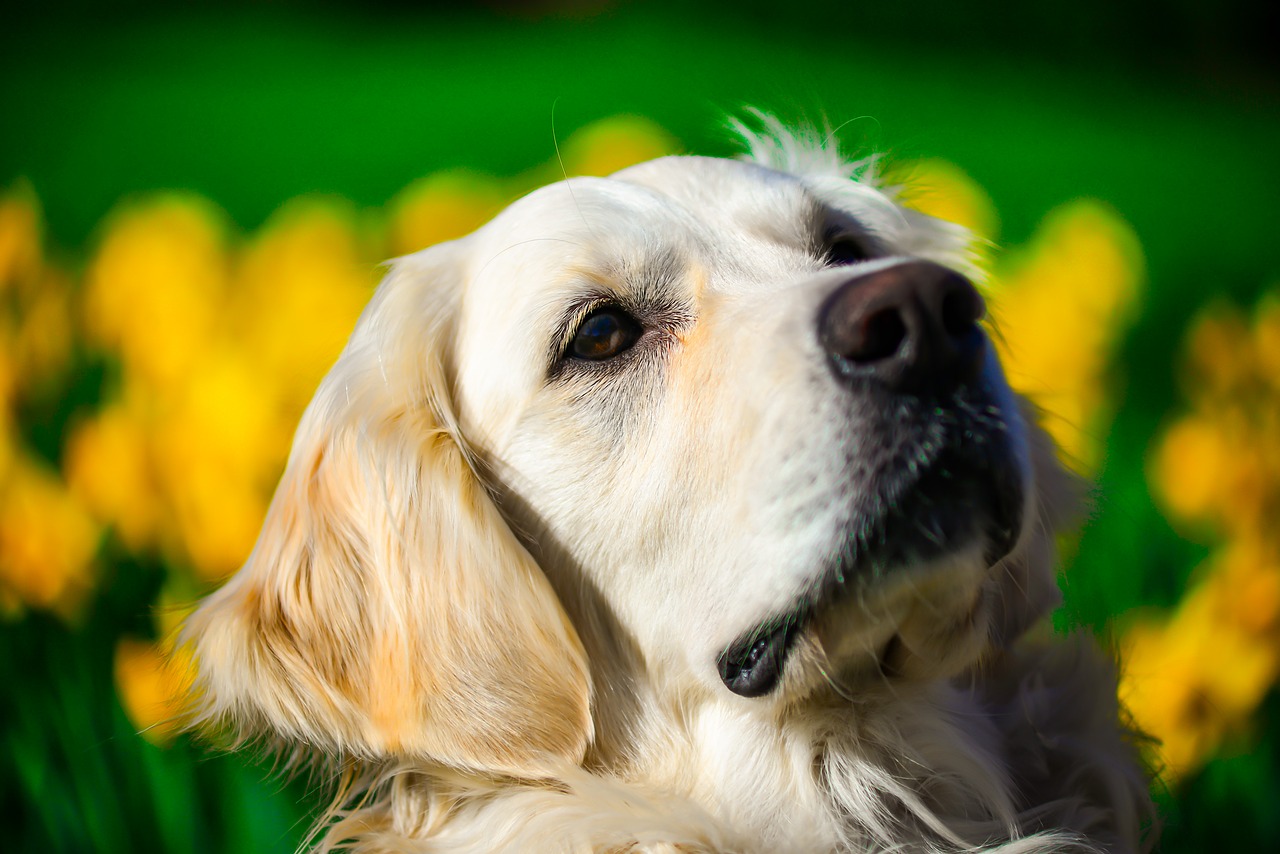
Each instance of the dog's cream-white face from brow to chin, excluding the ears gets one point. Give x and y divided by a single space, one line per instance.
753 414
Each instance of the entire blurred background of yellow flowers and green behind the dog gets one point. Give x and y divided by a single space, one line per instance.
194 205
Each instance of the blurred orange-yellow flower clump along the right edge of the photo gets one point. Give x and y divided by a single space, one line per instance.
1197 675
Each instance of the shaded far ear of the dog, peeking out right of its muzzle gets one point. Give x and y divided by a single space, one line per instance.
1027 581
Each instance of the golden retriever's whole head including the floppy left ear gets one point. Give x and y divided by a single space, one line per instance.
753 413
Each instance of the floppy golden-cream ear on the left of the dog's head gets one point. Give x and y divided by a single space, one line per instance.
387 609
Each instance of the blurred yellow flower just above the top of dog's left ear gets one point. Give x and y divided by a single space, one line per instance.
442 208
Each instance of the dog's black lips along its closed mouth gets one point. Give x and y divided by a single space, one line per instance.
968 497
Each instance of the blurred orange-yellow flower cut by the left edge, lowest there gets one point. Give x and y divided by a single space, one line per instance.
47 540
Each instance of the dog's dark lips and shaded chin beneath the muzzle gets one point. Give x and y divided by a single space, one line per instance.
902 597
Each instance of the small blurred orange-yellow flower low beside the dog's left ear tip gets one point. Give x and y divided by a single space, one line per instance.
152 687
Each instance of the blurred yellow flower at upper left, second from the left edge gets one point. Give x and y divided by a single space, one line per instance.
156 285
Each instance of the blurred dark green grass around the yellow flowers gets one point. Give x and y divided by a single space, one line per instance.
1172 116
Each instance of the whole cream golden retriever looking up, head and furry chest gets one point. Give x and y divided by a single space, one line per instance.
683 510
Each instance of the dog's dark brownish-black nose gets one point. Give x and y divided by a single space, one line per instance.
913 327
